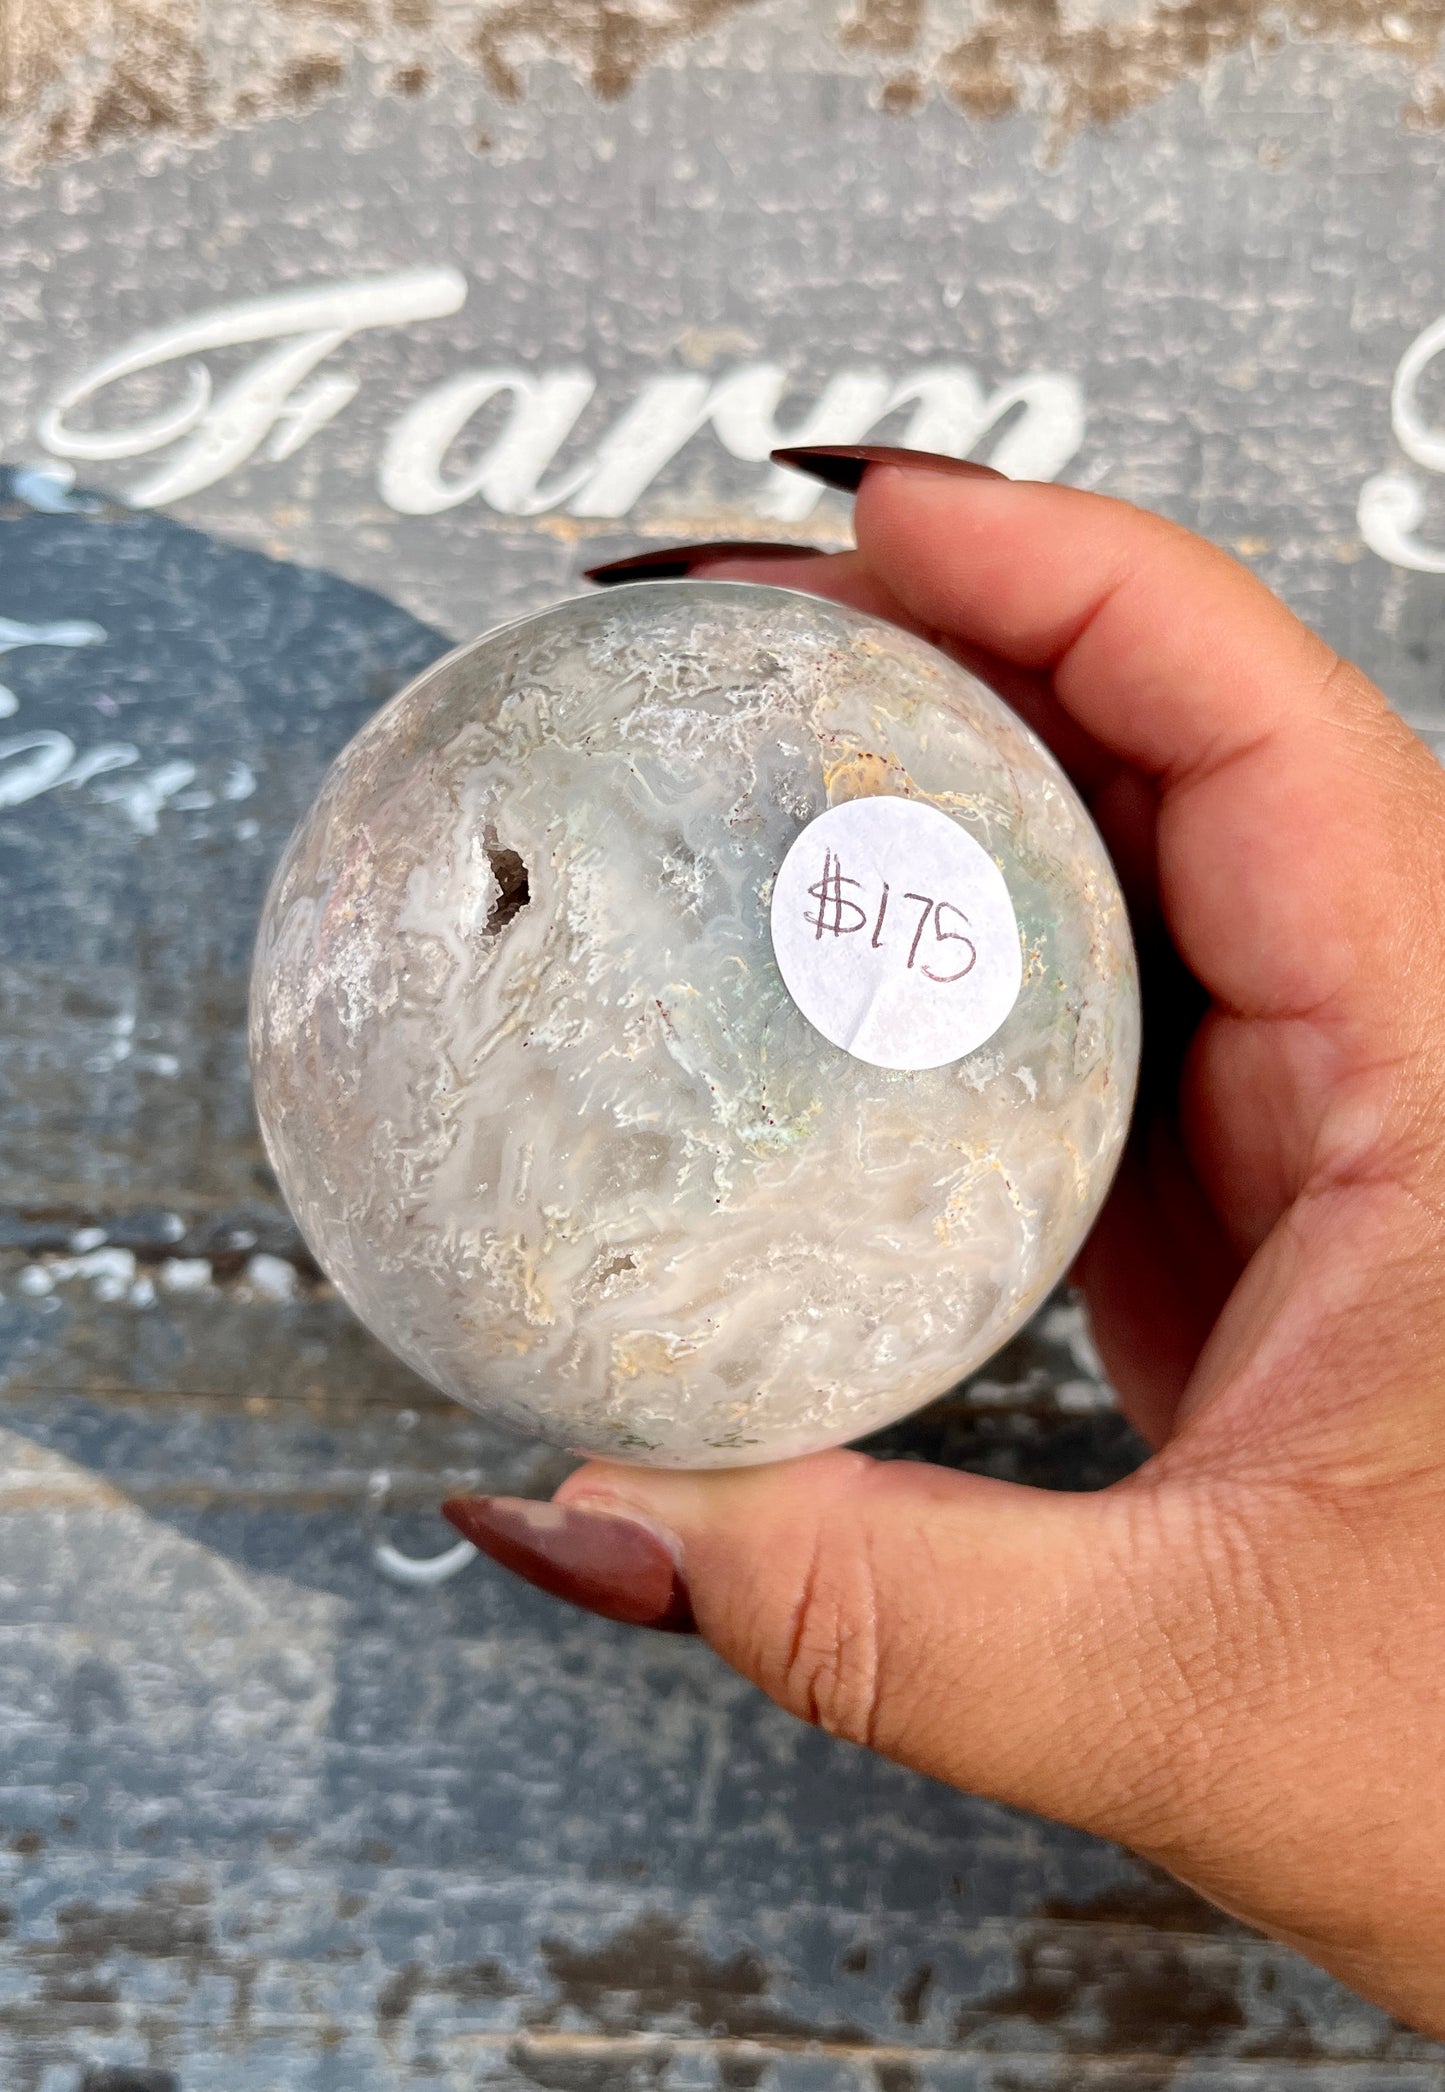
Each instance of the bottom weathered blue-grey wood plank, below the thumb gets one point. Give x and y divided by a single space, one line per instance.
426 1834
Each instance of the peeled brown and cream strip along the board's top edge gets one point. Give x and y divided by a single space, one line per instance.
78 76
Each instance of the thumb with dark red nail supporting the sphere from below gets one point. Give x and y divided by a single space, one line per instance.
994 1637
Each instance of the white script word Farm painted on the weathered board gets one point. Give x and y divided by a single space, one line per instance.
277 405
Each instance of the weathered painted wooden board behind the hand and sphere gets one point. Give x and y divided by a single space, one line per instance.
269 1819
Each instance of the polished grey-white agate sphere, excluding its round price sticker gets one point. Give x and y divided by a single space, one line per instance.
534 1085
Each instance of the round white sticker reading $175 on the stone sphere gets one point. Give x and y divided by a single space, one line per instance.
894 934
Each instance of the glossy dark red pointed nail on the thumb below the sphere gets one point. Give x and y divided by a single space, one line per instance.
605 1562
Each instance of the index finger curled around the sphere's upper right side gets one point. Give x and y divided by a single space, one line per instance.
1300 823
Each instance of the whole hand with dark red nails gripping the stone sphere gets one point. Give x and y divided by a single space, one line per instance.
1235 1660
